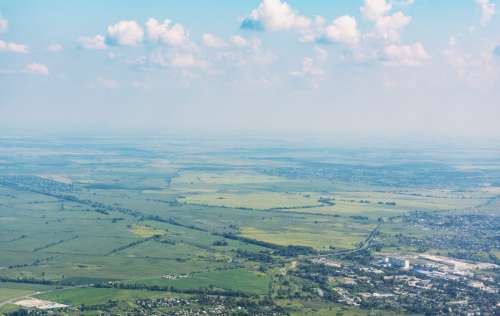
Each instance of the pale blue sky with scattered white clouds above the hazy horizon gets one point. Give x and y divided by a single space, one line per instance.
342 68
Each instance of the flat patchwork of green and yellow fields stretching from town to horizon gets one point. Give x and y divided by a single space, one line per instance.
107 222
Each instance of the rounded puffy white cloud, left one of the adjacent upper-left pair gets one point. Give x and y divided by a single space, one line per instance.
125 33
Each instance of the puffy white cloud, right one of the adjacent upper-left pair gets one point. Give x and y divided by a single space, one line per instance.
167 33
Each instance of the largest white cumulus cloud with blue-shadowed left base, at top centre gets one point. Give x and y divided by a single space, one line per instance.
275 15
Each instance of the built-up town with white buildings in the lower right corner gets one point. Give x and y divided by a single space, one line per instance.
417 283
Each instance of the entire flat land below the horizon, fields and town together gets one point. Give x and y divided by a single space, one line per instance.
172 226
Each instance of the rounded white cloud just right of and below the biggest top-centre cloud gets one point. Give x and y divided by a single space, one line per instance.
343 30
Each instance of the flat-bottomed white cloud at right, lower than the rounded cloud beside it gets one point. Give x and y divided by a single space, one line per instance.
405 55
